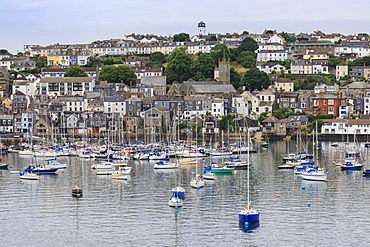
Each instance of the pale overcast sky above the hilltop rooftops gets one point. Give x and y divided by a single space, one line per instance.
45 22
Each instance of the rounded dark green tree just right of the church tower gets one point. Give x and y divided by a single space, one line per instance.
255 79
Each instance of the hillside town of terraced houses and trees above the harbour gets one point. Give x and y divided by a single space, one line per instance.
275 84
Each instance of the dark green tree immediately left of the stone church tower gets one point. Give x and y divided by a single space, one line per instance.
204 67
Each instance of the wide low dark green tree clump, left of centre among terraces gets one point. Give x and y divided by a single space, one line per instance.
113 74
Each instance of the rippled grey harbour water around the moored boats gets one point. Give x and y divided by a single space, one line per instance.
136 212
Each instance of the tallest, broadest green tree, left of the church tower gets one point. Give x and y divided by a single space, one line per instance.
180 66
